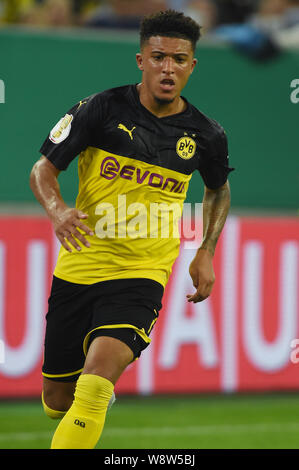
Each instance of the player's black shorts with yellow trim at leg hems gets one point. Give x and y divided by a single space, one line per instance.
126 309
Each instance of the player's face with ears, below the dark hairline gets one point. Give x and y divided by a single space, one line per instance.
167 64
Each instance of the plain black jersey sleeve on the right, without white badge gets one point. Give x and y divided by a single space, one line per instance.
214 166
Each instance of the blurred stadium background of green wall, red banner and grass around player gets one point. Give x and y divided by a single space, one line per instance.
219 374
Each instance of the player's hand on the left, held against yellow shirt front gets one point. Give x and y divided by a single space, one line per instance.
66 222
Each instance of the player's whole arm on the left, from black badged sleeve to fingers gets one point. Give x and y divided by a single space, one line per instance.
69 137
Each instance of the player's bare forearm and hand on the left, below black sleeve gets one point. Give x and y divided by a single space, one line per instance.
66 220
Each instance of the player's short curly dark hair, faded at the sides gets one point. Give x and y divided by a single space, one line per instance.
169 23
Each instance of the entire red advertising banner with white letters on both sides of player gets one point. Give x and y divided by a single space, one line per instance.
240 339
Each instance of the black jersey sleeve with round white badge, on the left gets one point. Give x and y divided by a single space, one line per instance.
72 134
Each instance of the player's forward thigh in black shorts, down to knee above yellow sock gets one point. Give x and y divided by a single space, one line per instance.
122 320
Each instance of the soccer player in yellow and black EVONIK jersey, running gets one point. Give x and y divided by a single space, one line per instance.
138 146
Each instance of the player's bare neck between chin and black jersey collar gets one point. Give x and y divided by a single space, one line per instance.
160 109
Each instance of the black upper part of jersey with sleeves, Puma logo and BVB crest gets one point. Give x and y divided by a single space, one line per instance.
115 121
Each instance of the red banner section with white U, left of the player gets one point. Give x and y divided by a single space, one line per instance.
26 253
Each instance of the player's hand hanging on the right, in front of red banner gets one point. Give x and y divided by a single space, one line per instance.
202 274
